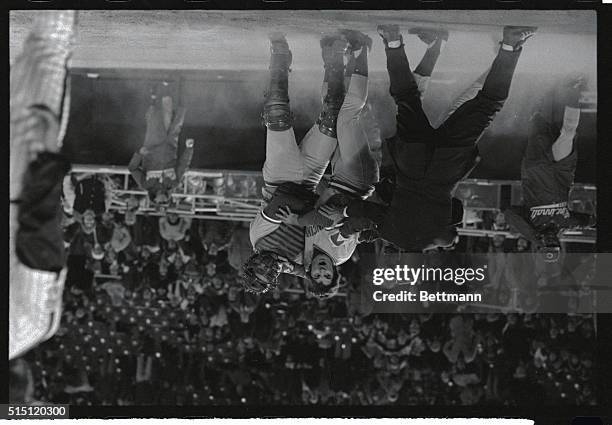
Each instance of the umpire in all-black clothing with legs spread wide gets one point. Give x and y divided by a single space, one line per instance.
427 161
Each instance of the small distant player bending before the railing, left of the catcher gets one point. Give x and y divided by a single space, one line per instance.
155 166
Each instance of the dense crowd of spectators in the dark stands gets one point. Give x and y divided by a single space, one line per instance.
154 314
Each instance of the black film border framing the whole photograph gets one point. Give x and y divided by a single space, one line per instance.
541 414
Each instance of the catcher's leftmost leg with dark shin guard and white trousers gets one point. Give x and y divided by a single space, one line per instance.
283 158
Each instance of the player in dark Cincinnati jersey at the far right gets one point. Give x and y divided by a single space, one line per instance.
547 171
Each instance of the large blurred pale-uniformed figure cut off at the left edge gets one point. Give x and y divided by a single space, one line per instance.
39 105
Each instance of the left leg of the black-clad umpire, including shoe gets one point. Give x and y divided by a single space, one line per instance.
412 124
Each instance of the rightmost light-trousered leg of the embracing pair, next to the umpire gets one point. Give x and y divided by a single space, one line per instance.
354 167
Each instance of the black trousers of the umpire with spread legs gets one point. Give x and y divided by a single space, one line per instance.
467 123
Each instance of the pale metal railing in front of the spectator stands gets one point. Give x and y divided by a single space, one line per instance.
235 195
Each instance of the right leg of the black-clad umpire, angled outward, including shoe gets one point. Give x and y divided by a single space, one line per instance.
467 123
